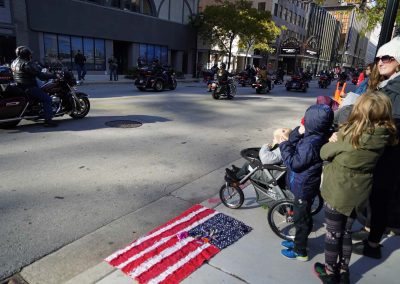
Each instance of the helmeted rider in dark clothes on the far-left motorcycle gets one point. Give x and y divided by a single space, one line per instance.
25 72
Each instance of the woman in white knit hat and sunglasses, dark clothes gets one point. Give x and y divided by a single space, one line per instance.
384 198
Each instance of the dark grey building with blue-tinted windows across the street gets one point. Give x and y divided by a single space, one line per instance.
126 29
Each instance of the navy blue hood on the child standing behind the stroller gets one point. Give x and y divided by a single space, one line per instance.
318 119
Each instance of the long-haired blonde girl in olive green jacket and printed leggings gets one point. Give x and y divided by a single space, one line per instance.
348 178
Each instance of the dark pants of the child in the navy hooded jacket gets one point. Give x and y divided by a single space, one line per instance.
303 223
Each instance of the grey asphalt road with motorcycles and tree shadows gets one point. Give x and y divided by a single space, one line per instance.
58 185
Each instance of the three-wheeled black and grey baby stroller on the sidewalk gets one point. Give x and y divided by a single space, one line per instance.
278 198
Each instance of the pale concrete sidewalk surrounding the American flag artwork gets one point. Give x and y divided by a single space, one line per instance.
255 258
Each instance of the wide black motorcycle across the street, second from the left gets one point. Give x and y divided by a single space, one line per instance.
157 79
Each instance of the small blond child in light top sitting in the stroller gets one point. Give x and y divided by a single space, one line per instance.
269 154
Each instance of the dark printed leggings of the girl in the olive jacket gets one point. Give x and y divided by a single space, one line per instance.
338 246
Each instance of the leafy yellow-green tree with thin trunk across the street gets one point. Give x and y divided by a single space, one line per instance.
221 24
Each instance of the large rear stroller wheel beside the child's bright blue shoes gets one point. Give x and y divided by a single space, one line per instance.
280 219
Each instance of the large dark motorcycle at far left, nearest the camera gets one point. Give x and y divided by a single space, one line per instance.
16 104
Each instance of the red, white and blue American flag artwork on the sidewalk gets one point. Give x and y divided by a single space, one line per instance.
174 250
